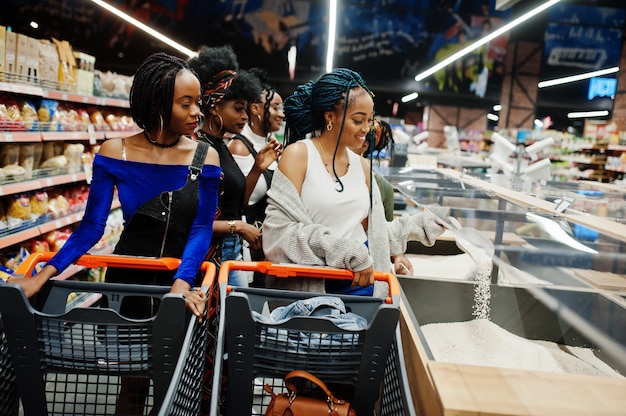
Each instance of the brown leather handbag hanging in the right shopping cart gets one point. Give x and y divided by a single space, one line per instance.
290 404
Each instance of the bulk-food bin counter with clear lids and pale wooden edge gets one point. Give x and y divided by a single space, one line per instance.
545 324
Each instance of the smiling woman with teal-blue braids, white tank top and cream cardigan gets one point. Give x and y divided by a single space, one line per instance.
319 211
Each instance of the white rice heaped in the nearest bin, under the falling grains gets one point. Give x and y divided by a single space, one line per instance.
481 342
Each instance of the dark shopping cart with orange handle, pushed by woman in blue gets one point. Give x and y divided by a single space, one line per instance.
74 361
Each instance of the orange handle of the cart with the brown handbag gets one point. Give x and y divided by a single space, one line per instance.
297 270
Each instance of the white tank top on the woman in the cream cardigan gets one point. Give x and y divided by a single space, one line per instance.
341 212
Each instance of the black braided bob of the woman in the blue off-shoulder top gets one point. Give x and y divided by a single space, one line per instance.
152 90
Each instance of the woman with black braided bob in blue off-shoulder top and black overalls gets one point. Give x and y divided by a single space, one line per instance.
167 185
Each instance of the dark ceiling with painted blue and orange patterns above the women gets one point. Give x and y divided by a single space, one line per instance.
388 41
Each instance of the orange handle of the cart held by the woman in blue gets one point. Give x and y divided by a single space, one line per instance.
115 260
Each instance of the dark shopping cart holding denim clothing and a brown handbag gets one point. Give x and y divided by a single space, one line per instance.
367 364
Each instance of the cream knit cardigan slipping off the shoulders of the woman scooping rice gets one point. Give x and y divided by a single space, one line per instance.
290 236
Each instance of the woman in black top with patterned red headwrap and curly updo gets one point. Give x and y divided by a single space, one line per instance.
226 92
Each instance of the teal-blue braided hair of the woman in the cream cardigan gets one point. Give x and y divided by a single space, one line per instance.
305 108
